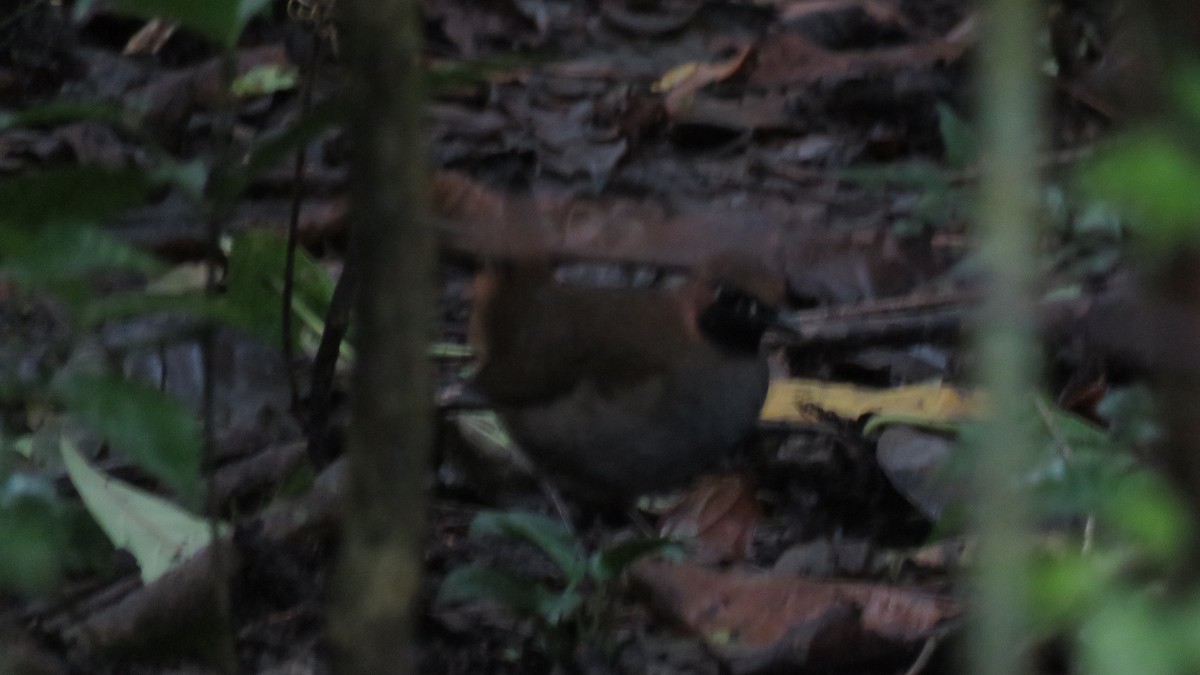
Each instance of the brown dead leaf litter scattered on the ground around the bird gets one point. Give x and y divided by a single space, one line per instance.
629 136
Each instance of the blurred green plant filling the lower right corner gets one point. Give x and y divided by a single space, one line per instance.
1105 588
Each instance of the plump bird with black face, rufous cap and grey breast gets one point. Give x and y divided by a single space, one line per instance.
615 393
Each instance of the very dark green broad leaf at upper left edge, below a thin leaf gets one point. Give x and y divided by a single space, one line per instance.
73 196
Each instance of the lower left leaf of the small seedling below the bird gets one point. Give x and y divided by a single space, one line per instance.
520 596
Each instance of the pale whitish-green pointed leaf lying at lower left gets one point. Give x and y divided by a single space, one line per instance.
160 535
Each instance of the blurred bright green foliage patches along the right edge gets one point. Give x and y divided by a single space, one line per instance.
1117 590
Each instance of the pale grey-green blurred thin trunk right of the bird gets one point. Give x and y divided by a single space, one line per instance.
1009 112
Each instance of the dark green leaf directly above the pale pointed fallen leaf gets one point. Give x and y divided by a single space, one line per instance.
153 428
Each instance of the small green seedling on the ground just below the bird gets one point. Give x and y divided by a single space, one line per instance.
569 611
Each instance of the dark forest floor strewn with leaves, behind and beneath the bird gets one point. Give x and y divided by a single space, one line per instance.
626 141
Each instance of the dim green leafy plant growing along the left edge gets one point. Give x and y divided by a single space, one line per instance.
57 253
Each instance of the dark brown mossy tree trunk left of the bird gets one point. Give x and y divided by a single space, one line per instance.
393 252
